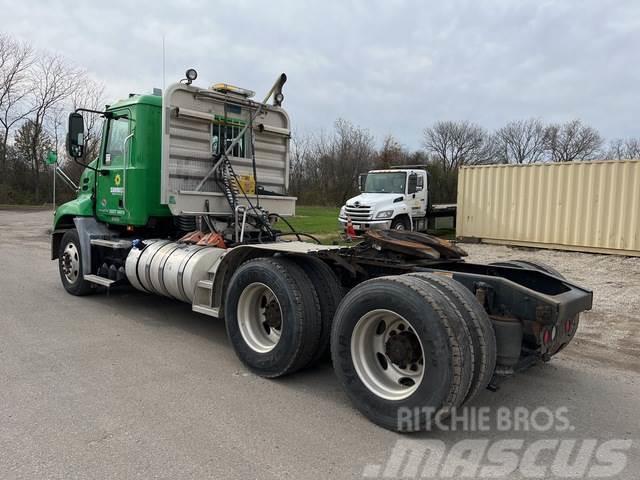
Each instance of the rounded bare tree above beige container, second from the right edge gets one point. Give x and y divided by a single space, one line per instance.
572 141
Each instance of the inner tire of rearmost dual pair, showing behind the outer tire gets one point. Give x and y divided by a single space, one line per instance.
483 337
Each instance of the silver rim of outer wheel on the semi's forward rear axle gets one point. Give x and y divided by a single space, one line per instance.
259 317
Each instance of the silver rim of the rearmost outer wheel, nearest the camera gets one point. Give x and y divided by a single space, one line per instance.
376 354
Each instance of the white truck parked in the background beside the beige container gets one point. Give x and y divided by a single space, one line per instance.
395 198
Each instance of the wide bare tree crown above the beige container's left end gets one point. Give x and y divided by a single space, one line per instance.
455 144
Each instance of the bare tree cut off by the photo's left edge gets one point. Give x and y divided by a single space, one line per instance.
16 58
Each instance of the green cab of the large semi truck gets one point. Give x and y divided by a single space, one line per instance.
119 187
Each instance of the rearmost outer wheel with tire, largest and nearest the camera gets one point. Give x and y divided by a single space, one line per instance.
398 347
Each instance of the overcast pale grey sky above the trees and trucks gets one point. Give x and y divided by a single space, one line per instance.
391 66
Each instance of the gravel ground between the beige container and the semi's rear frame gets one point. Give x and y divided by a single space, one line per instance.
611 330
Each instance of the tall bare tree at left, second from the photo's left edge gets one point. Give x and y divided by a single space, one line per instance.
54 83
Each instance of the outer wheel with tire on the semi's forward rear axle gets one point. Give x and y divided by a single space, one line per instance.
272 315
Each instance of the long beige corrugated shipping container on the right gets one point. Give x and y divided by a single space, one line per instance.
583 206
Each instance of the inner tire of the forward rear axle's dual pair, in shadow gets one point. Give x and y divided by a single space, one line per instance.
330 292
